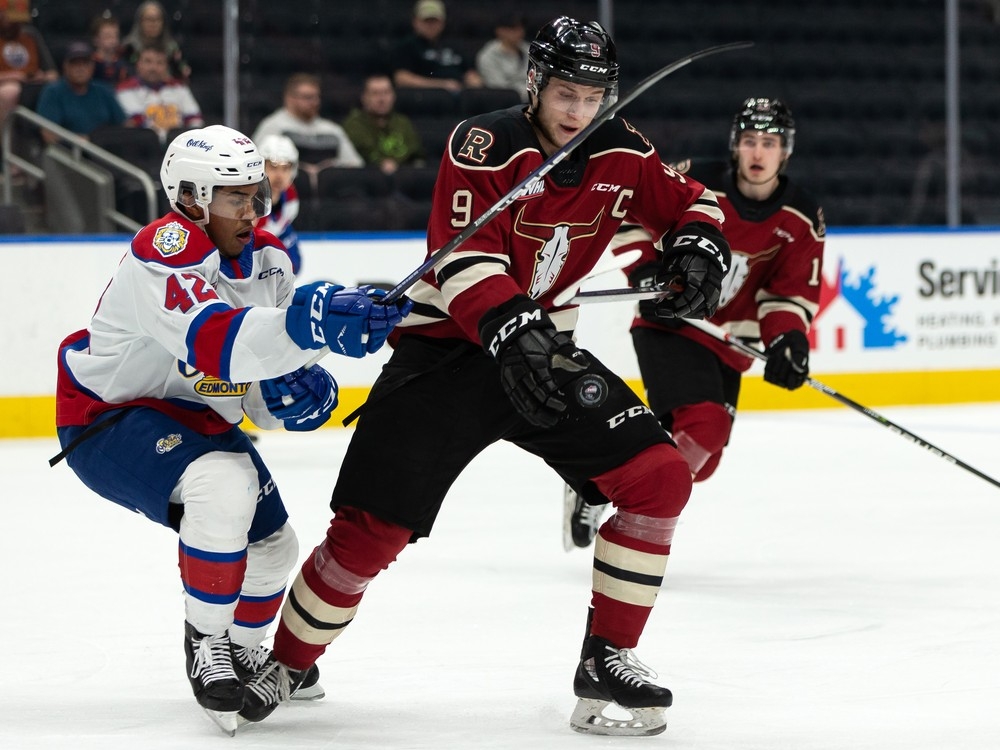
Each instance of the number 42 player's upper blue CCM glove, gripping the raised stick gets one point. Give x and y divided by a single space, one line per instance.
350 321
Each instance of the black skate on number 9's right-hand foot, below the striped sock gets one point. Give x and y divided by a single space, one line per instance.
612 676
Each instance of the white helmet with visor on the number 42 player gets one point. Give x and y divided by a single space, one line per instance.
198 161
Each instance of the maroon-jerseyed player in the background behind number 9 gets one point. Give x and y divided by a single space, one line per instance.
770 294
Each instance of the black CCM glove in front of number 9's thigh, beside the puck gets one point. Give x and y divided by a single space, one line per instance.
535 359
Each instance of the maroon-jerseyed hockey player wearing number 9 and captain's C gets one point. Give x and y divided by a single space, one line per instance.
485 356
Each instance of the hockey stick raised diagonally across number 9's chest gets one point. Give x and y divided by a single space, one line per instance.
546 166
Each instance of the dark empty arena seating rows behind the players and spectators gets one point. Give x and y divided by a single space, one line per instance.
864 81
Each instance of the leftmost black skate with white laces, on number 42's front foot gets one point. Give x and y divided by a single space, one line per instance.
216 686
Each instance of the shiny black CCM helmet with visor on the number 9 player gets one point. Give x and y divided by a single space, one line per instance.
576 51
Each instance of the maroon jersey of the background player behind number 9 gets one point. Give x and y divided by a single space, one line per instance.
774 280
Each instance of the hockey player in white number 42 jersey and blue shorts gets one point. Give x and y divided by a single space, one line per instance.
199 326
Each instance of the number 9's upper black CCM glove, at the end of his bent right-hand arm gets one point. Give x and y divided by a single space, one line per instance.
695 262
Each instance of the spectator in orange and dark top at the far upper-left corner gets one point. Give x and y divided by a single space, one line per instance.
24 57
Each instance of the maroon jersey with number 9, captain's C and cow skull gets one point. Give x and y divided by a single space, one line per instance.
554 233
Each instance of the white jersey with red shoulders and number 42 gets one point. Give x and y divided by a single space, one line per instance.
183 330
